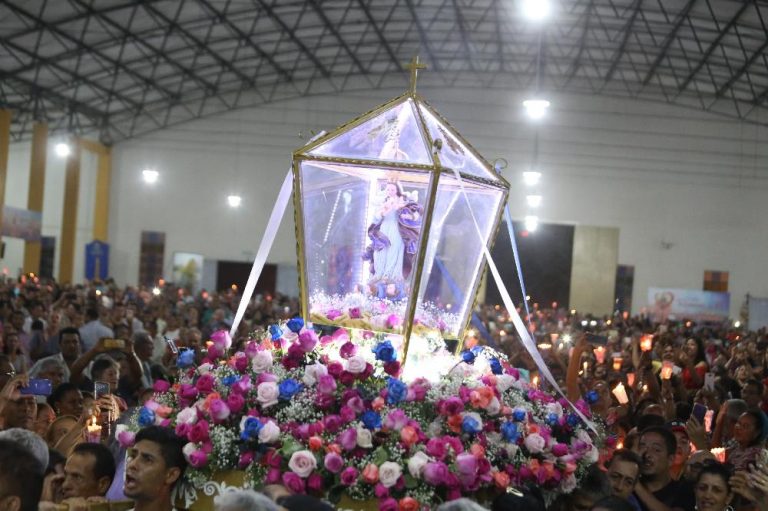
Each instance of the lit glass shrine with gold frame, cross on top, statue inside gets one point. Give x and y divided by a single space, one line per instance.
386 240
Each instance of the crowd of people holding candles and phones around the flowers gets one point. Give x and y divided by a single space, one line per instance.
683 404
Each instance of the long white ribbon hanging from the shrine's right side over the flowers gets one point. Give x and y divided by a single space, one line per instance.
525 336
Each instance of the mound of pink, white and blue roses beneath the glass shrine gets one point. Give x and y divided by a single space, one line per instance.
331 415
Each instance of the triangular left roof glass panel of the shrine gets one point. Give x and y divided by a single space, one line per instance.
393 135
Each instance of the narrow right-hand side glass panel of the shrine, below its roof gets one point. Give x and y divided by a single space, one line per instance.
454 254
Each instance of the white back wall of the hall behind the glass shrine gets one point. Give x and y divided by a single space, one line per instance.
658 172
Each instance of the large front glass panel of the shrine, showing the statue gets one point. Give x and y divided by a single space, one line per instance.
362 230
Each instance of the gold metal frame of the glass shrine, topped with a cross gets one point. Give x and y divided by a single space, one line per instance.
435 171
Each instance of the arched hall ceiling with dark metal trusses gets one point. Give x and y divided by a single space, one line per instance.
121 69
